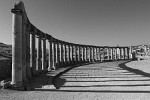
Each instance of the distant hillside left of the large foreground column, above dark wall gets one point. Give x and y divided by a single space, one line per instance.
5 50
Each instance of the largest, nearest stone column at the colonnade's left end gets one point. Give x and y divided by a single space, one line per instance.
17 53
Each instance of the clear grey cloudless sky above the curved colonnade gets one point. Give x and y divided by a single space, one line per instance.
91 22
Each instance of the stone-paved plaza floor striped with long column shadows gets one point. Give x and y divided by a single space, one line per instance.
104 81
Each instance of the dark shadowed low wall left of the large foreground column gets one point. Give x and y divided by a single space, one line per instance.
5 68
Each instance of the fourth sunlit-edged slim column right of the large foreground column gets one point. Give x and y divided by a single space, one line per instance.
50 55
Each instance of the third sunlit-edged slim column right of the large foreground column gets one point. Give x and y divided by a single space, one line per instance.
44 54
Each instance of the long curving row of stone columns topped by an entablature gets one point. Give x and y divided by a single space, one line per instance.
35 51
